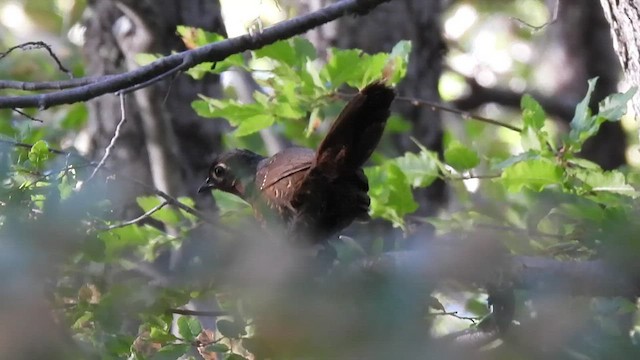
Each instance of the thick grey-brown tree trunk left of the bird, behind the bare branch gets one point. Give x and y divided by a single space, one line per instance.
163 143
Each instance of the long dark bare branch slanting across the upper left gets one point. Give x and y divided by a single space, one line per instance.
83 89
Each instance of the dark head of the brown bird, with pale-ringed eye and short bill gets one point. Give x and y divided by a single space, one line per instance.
232 172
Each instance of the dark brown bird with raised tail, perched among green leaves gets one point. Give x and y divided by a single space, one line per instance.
312 194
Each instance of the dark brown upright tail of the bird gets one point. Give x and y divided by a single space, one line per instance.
356 132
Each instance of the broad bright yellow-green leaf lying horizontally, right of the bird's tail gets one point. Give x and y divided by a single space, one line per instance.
534 174
